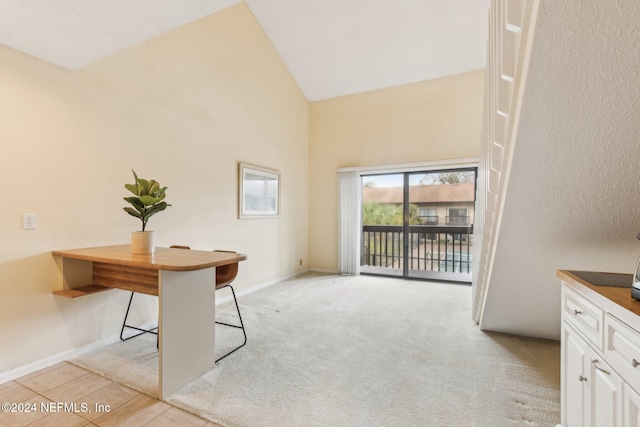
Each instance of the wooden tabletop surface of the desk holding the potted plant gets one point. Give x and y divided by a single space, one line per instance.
171 259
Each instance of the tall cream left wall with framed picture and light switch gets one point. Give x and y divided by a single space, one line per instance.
183 108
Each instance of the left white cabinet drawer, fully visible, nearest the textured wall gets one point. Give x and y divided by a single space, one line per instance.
586 317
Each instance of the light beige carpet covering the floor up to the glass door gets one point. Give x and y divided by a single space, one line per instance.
358 351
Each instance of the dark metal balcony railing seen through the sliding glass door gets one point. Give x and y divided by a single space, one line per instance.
441 249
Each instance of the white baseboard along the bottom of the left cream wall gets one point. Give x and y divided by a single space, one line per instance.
79 351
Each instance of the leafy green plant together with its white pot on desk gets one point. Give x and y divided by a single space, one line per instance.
147 201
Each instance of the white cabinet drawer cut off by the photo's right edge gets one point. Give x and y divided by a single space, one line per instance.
622 350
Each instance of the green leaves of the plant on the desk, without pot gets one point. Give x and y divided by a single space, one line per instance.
148 199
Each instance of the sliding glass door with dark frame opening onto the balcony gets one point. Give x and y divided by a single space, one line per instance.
419 224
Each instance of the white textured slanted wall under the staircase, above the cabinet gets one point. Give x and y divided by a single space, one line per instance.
573 199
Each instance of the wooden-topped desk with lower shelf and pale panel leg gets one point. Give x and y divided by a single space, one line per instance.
183 279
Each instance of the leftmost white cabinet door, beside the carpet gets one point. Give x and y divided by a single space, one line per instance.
574 378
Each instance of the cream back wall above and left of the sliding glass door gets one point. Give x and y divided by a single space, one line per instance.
432 120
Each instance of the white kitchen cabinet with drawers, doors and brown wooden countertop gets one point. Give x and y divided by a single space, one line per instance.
600 350
